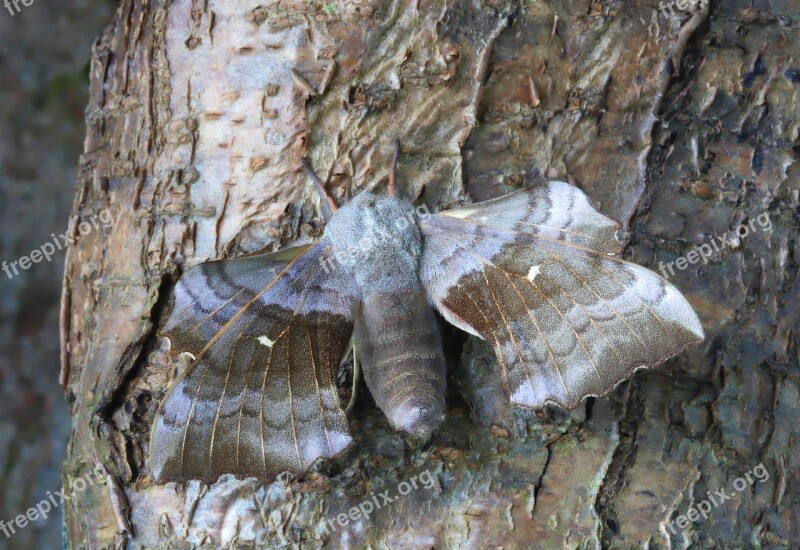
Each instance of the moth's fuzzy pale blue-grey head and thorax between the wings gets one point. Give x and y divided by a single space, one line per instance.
373 228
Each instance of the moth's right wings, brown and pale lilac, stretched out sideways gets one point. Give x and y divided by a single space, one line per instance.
534 274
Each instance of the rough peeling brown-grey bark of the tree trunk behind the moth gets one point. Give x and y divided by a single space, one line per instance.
681 126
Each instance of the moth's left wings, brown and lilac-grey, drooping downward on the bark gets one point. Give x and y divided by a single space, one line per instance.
266 334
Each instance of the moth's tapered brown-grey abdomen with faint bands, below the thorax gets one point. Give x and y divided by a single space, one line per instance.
402 358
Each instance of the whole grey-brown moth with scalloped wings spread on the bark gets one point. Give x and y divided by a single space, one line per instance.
536 273
